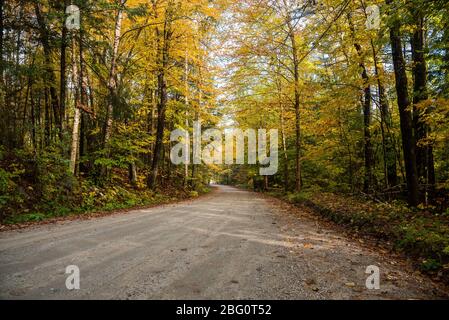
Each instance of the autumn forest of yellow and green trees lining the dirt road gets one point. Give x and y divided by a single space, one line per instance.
358 91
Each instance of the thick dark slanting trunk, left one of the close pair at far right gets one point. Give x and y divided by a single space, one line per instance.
408 139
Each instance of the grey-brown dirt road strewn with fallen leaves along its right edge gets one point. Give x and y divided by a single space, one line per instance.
231 244
